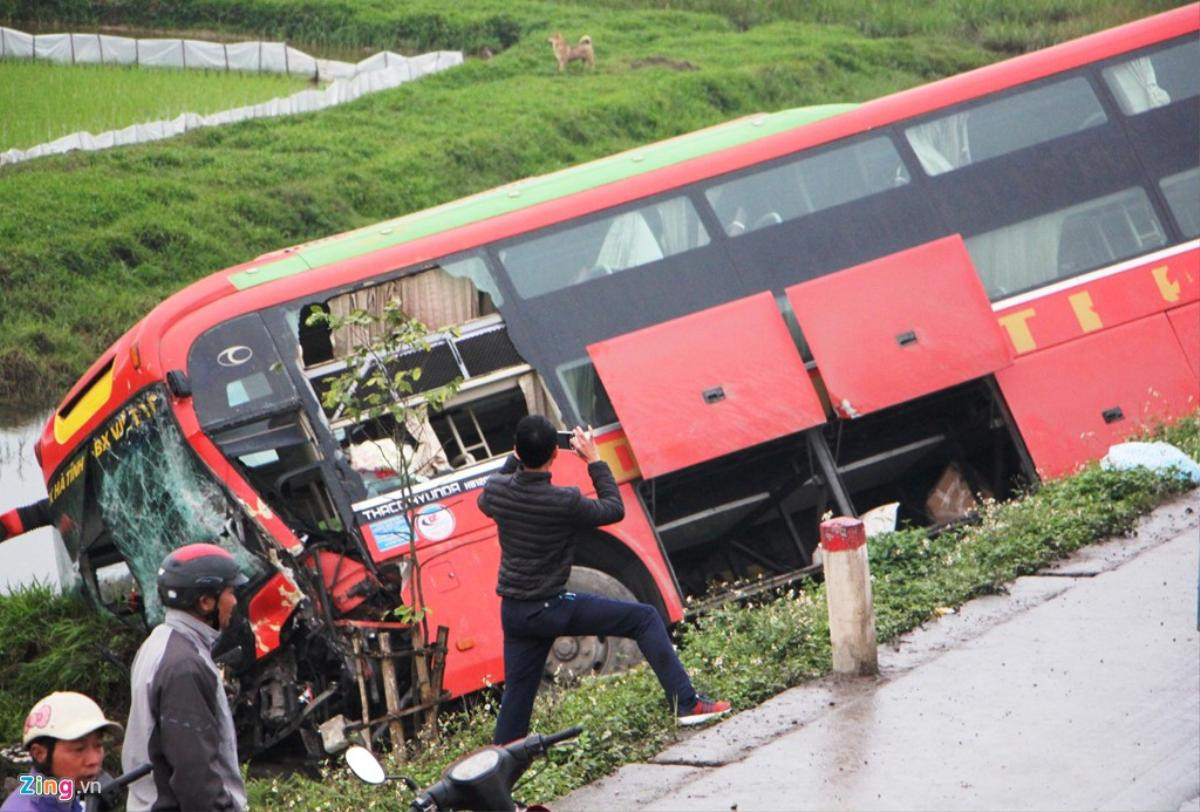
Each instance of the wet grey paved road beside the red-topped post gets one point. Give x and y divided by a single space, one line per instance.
1079 690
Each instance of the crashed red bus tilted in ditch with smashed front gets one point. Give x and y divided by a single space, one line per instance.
938 296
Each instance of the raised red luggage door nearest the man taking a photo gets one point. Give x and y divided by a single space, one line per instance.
741 353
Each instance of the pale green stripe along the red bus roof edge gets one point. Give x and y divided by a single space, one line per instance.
533 191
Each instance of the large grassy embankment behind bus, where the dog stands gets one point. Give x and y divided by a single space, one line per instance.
89 243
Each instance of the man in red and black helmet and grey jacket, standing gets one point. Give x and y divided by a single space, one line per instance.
179 717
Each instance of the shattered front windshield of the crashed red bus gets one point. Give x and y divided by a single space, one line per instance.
140 489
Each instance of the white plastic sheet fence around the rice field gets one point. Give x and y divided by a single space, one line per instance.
375 74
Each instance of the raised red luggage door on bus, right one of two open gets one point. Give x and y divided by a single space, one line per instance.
899 327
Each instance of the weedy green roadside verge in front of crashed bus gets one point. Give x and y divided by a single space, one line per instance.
747 653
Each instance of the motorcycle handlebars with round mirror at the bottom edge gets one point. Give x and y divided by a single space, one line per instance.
481 780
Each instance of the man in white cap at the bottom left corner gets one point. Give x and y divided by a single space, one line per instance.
65 737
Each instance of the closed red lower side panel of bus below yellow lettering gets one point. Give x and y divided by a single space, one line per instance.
1059 396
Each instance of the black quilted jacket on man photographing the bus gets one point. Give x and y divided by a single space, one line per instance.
538 522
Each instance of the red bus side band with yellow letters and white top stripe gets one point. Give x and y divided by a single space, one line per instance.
1106 299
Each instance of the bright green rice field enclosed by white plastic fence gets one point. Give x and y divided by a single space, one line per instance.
50 101
